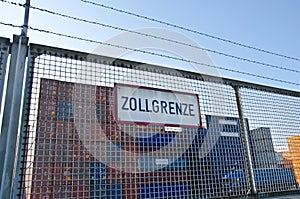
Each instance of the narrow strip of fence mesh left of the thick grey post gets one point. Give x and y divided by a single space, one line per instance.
4 52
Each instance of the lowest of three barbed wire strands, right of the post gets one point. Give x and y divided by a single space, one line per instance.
160 55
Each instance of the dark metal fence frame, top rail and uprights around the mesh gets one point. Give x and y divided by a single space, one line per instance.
37 50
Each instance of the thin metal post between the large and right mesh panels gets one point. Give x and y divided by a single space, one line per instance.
245 139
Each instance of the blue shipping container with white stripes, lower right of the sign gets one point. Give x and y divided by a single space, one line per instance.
225 156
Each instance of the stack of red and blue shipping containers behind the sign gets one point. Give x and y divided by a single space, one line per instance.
65 166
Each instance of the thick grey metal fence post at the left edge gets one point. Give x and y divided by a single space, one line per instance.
11 115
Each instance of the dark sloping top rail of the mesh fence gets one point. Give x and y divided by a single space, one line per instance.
83 56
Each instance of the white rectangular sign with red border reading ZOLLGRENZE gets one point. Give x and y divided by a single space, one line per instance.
156 106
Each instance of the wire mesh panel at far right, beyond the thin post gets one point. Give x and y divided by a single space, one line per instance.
274 138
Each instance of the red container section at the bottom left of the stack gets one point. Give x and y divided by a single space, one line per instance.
60 180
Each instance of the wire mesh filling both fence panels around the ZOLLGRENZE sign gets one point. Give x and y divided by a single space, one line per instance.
74 146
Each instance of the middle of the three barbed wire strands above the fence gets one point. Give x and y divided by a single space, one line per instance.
157 37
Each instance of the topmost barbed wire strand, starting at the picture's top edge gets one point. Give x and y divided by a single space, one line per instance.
190 30
